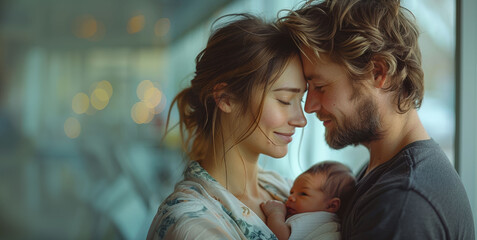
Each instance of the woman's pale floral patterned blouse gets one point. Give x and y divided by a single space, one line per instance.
201 208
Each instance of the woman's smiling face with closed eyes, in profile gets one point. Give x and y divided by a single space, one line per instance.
282 113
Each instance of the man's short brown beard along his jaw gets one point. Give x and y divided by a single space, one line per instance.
363 126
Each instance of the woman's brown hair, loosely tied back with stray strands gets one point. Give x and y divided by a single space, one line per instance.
243 57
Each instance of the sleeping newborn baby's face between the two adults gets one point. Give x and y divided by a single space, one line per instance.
306 195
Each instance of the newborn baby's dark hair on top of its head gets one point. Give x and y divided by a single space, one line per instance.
339 181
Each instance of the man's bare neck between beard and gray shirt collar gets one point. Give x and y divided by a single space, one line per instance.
399 130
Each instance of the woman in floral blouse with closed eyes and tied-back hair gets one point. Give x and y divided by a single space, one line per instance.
245 100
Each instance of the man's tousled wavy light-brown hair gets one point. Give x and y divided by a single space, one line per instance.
356 34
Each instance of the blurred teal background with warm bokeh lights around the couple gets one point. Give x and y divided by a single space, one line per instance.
85 88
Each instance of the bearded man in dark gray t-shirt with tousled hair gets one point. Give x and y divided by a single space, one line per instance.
365 82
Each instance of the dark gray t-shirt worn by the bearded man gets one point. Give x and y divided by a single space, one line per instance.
415 195
